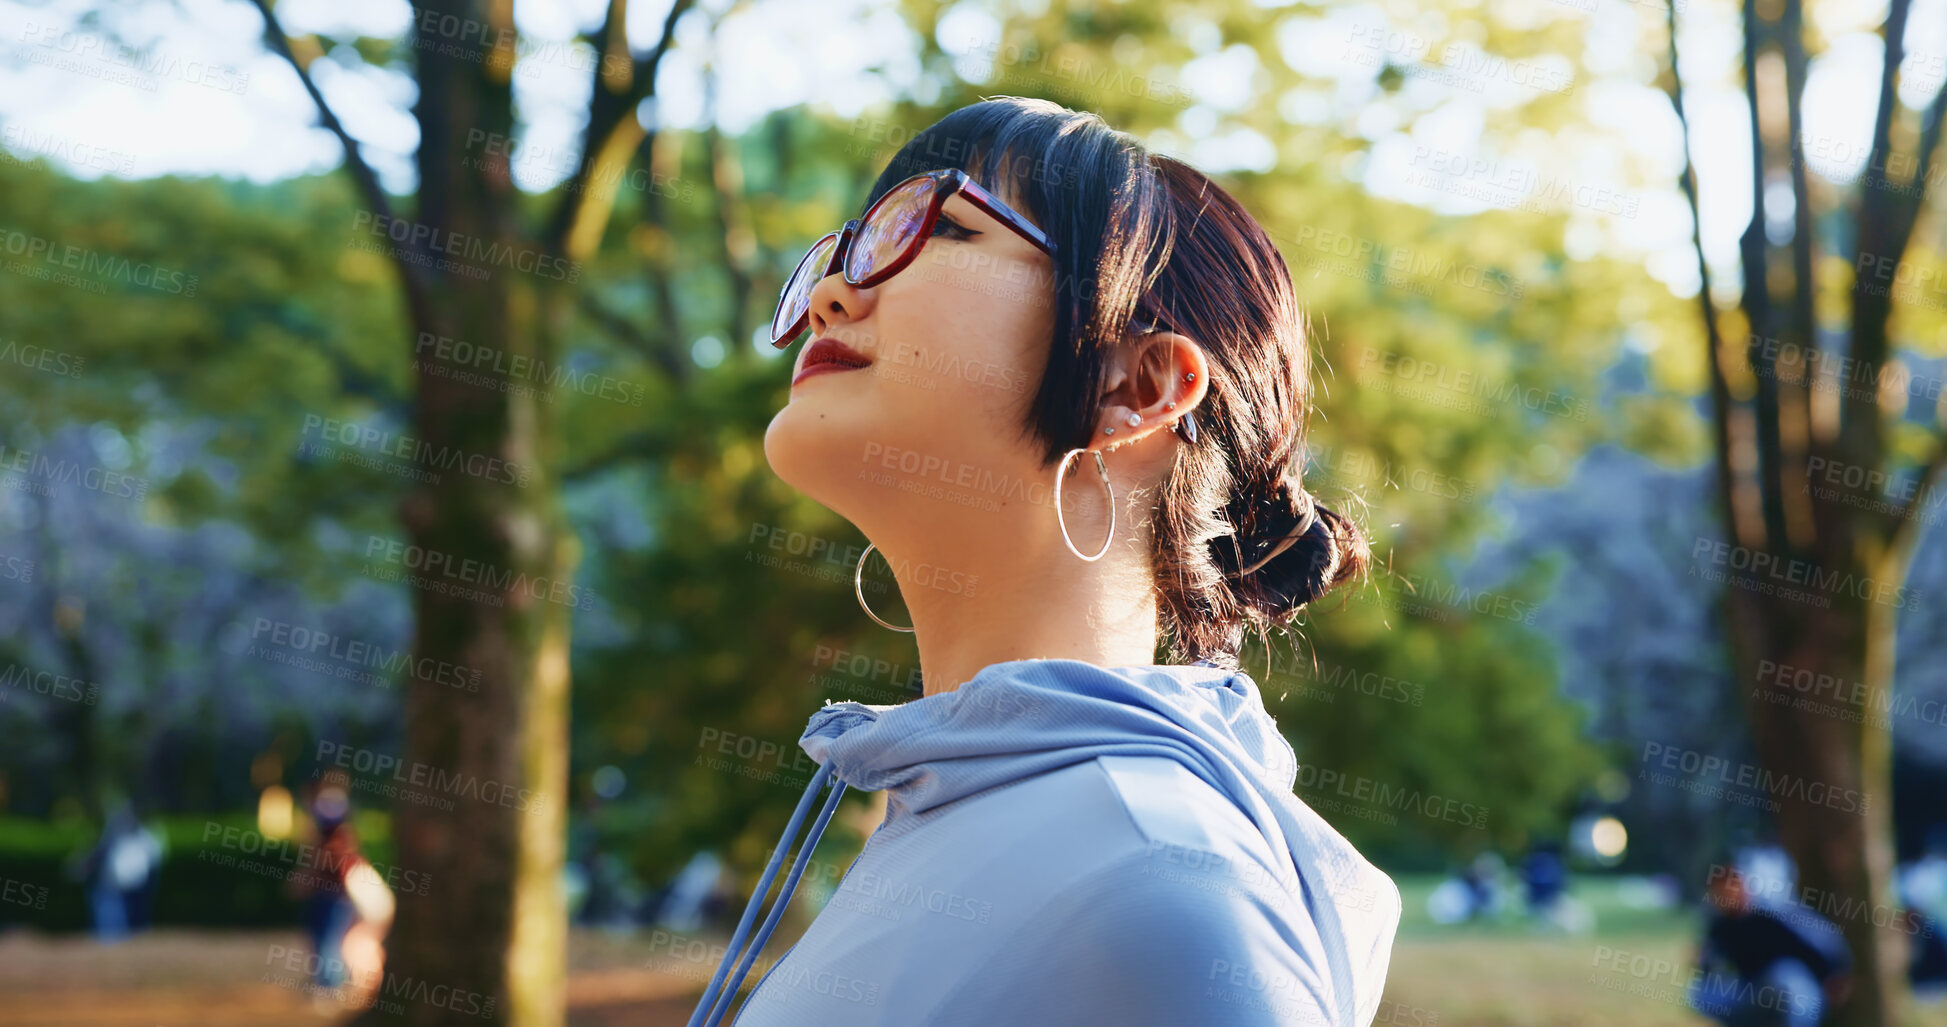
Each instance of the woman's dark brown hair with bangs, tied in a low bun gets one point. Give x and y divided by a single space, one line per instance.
1152 243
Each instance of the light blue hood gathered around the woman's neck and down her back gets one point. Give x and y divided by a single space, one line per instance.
1023 718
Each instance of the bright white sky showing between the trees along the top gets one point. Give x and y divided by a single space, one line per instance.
205 96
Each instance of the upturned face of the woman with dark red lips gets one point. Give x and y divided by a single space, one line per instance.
930 434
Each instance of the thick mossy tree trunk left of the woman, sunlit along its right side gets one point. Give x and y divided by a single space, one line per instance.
486 936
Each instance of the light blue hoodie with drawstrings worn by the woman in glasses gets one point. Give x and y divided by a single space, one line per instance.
1080 845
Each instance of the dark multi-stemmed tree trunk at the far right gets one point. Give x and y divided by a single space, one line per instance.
1825 755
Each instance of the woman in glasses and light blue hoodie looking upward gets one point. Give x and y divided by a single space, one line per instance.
1062 385
